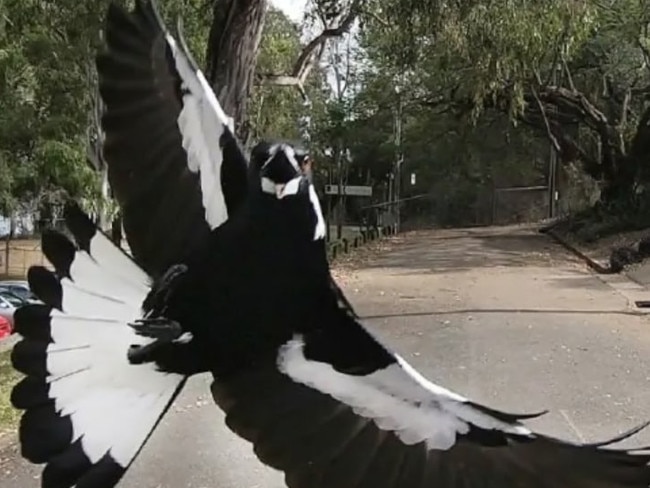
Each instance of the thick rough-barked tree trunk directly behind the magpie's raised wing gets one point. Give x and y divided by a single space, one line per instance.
231 57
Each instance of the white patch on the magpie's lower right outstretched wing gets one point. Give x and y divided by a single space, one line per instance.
394 399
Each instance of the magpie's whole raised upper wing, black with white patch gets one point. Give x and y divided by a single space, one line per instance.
174 164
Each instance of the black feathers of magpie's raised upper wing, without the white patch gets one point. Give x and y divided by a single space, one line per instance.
160 197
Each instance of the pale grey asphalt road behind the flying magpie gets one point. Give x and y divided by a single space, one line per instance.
500 315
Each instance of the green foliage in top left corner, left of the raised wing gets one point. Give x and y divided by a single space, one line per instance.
45 69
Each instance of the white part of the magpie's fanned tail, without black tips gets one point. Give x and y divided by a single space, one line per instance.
113 405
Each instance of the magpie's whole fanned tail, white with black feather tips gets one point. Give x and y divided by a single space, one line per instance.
87 410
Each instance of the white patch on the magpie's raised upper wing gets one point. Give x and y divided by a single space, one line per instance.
202 122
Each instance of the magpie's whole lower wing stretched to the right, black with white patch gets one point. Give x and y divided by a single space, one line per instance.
335 409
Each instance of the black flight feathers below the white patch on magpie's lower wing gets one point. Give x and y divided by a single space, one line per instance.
321 442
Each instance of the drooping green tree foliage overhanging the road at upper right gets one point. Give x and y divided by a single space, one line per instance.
486 82
